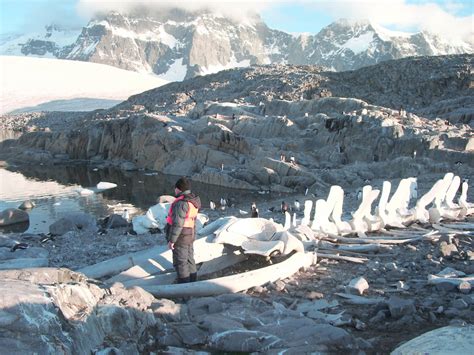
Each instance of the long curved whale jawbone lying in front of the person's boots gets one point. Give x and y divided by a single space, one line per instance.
236 283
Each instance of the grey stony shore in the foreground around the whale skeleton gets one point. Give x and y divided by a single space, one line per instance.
399 302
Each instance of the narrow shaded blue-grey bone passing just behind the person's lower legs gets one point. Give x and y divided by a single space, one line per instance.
206 268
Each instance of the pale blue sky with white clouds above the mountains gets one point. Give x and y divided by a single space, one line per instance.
290 16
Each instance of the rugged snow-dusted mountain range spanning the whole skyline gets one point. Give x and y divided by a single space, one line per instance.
177 44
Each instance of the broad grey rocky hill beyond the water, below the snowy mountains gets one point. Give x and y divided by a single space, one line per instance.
281 128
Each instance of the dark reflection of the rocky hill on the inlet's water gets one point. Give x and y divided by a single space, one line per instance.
139 188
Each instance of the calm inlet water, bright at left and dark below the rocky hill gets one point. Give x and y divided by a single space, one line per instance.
55 192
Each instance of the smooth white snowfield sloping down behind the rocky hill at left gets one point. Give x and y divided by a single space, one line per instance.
44 84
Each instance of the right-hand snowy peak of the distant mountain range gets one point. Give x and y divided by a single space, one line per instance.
346 45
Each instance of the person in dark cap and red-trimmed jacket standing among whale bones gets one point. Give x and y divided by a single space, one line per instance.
180 230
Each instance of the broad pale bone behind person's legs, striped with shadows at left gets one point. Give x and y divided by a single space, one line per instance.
204 250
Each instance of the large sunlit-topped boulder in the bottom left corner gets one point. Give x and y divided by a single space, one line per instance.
40 315
